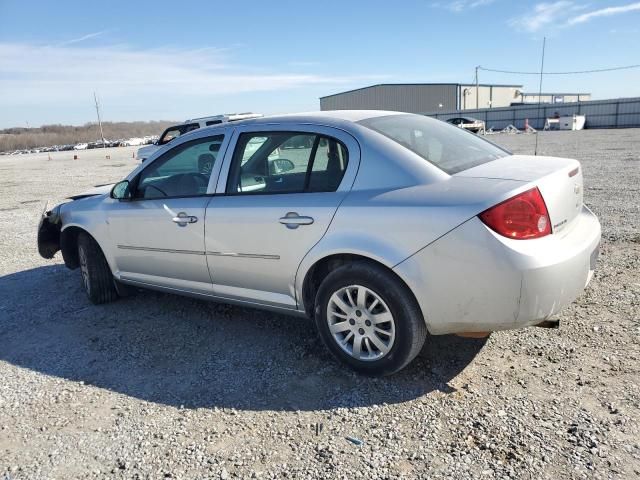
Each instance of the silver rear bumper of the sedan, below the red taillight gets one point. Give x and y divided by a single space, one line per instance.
474 280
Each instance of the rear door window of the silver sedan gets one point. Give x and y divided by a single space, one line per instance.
286 162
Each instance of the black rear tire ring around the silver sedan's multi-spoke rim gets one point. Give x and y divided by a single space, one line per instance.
410 328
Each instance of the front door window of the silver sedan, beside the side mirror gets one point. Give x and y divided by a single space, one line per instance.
183 171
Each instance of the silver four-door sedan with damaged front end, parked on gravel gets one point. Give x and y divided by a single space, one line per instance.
388 227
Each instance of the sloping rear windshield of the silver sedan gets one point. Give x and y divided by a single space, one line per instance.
449 148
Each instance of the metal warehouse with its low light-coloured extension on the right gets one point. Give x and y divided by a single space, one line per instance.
433 97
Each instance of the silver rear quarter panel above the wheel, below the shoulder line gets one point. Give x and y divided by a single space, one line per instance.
391 225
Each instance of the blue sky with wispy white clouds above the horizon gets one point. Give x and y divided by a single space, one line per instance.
149 60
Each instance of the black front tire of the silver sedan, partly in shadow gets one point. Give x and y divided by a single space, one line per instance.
97 279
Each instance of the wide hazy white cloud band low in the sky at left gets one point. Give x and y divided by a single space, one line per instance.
53 75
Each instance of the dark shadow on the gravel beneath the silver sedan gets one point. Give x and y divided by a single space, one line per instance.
183 352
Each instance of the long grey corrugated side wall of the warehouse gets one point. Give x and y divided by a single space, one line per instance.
401 98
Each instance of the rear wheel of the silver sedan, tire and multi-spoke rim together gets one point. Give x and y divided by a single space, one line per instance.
369 319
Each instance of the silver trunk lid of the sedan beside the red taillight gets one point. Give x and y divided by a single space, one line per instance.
558 179
